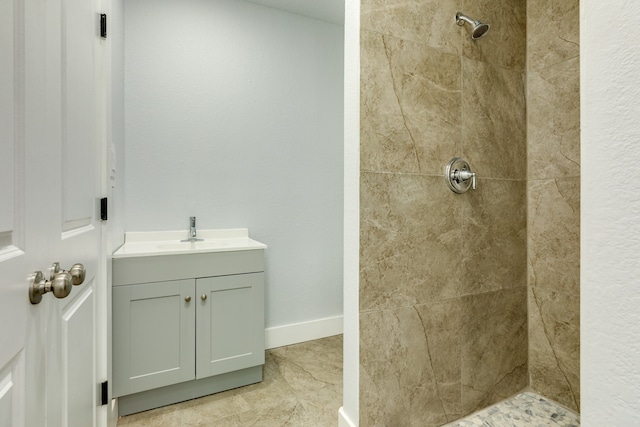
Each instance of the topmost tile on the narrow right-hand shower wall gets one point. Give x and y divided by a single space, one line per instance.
553 28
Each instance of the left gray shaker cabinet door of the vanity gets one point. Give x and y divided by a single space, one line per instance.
153 335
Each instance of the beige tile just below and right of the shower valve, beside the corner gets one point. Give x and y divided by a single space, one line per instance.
494 227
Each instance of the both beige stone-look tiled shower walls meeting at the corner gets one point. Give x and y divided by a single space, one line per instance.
466 299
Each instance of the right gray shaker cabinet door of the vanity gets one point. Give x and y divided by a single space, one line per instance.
230 323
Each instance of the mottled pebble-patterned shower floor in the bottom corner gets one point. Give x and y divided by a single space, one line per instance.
523 410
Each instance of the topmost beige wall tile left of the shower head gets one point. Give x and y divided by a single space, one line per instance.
431 22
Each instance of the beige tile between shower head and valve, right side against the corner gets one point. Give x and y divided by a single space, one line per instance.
494 128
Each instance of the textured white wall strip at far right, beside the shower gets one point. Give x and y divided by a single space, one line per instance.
610 221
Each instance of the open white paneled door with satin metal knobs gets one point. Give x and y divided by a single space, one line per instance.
51 144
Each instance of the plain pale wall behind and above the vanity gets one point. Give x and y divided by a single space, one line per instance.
234 114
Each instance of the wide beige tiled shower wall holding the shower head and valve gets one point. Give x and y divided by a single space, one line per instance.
443 295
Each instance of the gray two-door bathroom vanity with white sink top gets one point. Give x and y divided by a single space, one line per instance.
188 317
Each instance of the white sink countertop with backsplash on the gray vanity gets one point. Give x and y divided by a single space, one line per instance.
154 243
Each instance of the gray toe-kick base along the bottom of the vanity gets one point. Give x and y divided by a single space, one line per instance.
180 392
